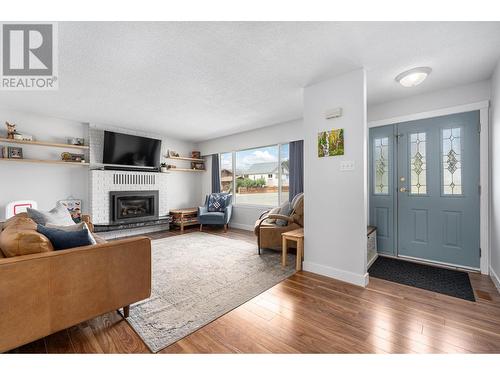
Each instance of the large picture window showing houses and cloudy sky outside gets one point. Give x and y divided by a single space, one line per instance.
259 176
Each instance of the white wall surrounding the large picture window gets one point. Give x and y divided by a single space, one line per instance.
244 216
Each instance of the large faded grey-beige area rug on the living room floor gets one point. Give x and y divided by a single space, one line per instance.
198 277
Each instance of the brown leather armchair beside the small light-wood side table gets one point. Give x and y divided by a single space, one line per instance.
269 233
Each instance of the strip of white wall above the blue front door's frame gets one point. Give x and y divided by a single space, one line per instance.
459 95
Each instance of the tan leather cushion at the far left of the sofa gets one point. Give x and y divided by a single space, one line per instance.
19 237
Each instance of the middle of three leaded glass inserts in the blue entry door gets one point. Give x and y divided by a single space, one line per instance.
418 164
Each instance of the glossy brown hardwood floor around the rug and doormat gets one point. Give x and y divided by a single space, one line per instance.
308 313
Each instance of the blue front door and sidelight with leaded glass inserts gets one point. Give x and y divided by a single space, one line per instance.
434 188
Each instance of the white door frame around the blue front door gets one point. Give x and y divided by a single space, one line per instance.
483 108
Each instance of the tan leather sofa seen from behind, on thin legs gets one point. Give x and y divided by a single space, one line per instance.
46 291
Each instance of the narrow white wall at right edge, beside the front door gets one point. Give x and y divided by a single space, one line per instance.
495 178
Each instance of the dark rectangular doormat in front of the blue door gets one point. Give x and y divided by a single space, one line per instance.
440 280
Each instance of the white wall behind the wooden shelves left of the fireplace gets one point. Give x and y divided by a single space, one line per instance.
44 183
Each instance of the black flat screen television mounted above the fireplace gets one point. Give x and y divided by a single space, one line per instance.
131 150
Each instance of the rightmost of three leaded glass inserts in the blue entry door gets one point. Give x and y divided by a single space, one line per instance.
452 162
